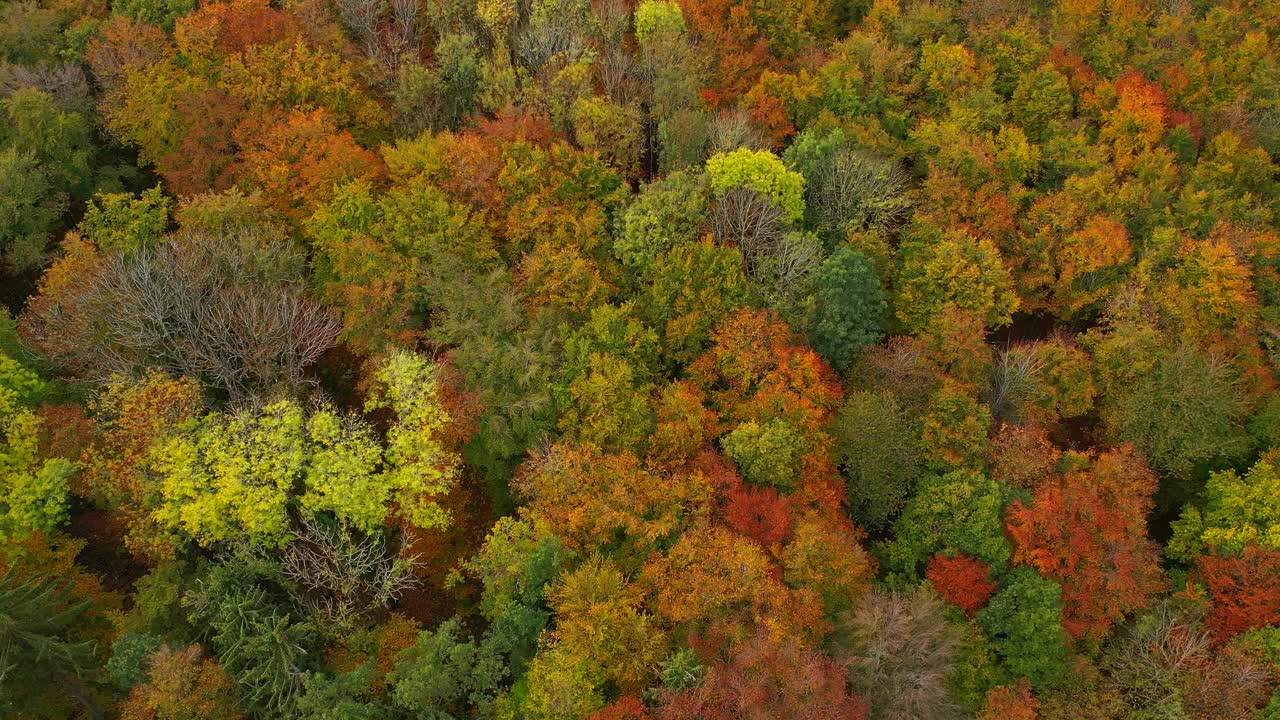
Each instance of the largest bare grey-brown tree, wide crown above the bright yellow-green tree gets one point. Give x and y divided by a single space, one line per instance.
227 309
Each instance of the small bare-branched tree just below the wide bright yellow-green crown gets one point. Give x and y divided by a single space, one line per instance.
344 576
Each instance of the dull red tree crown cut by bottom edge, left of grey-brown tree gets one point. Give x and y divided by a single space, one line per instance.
767 678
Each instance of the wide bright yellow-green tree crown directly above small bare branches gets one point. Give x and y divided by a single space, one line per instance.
237 475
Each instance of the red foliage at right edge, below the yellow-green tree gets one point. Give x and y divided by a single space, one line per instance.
1246 591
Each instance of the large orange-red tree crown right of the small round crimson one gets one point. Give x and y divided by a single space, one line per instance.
1089 532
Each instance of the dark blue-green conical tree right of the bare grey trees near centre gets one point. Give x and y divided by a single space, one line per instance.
852 308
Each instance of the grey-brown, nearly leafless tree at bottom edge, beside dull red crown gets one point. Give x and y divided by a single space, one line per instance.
898 651
